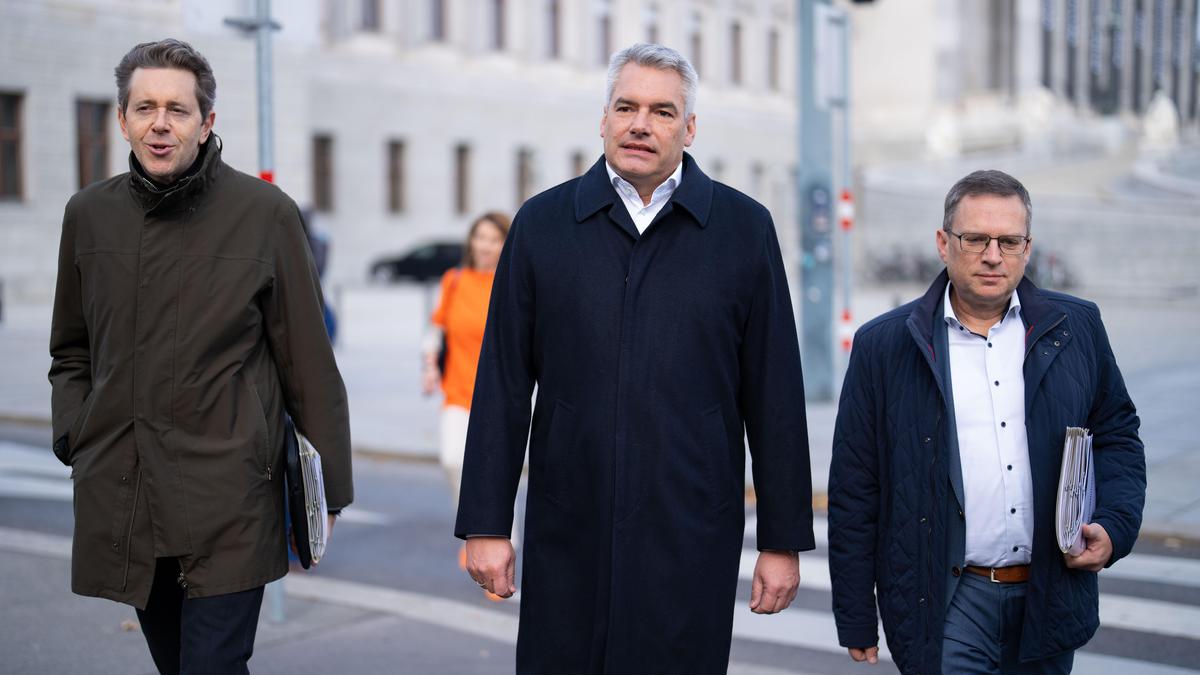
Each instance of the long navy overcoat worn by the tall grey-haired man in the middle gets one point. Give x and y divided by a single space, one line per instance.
652 356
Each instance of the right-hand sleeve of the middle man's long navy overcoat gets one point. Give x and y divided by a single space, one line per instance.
772 401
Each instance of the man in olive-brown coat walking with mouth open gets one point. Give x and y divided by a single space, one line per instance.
188 321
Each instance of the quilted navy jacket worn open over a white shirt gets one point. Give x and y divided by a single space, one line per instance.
893 512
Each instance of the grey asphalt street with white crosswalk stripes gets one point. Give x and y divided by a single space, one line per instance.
389 596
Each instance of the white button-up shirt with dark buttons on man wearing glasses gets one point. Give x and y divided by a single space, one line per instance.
989 409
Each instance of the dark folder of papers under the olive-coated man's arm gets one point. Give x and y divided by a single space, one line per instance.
305 494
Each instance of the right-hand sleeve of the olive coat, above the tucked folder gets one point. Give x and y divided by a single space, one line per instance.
314 392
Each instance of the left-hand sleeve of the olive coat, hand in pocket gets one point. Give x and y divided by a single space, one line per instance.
70 345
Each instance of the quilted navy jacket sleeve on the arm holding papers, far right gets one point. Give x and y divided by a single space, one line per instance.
1118 450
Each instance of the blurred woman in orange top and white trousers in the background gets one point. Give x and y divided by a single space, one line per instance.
451 353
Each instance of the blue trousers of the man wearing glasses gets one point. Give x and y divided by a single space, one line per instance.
983 632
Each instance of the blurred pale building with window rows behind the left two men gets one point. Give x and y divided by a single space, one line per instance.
397 121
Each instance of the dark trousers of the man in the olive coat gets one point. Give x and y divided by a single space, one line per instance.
199 636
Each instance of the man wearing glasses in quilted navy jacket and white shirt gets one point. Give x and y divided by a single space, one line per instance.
947 453
